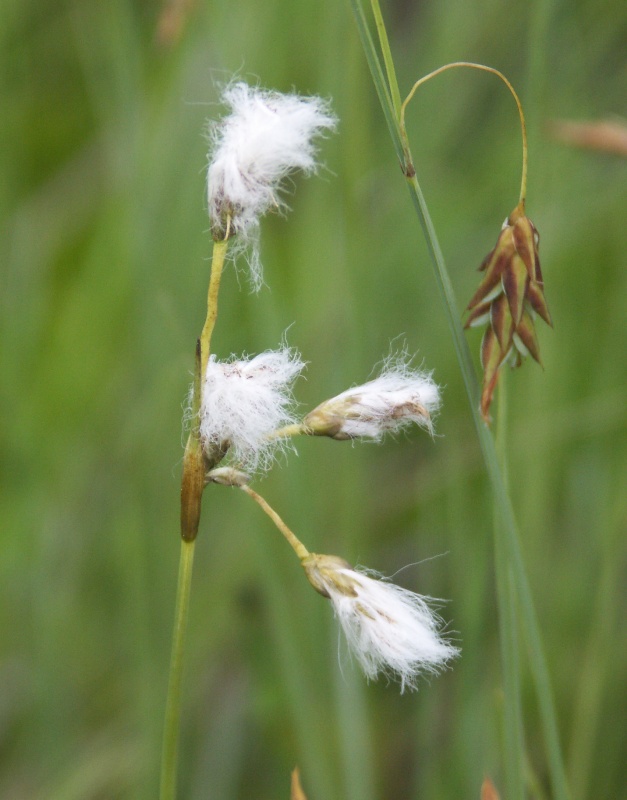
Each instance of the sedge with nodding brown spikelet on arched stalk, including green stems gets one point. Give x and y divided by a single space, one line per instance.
517 294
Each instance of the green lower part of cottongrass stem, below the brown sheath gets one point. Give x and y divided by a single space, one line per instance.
171 731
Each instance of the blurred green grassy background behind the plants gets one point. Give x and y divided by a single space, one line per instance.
104 267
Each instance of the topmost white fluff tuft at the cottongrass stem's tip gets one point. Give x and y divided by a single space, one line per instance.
266 136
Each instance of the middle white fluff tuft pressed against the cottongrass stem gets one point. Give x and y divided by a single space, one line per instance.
244 401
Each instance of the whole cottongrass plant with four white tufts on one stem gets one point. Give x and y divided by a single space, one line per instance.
242 409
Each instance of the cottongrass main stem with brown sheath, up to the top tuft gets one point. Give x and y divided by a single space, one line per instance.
195 466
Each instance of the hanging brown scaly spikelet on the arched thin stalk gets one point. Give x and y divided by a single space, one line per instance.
509 296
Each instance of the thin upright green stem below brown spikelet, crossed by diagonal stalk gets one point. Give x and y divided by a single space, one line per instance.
508 630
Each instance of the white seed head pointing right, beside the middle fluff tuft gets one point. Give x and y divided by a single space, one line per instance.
399 397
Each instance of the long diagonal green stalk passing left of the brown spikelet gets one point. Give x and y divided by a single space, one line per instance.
508 531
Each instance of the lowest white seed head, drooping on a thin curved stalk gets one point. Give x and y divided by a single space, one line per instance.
390 630
